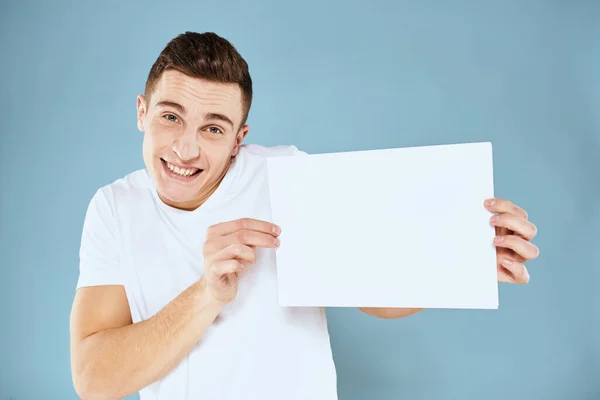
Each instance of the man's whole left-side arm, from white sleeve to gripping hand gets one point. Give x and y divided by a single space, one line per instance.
111 357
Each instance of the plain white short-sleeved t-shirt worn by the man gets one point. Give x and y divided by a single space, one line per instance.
257 350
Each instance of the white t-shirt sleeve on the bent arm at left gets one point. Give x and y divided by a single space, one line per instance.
99 250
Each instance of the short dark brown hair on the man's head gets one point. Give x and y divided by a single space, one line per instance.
206 56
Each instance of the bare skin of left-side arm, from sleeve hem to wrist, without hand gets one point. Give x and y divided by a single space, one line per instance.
112 358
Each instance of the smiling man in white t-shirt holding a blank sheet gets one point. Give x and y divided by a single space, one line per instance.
176 296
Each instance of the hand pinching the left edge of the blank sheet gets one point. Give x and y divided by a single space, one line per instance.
230 247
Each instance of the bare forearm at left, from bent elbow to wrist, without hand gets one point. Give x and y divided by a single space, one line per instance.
115 363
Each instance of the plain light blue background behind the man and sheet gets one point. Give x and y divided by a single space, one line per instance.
331 76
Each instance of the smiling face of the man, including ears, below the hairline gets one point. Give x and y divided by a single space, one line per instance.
191 132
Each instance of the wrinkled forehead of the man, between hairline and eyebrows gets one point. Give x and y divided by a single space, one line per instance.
199 96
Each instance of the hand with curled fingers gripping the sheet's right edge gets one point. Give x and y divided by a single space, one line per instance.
514 233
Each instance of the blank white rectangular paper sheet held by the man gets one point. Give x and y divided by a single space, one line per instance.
400 227
